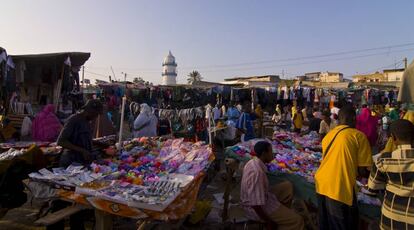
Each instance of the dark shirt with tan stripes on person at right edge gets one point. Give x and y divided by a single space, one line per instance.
394 172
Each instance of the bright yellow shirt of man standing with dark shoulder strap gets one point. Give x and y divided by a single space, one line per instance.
336 176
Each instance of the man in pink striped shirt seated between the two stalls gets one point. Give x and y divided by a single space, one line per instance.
261 203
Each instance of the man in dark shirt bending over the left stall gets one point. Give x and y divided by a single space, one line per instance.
76 135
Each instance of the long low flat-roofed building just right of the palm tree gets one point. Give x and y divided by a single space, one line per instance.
254 81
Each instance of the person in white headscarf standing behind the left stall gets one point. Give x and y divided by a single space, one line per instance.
145 125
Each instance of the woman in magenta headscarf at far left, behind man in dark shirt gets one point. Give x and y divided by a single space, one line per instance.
46 126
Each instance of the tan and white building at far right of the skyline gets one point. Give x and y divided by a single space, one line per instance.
388 75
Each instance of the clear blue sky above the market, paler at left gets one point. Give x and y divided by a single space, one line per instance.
220 39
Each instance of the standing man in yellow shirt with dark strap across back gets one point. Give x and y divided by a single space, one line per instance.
346 153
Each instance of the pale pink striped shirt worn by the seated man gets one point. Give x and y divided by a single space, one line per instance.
255 189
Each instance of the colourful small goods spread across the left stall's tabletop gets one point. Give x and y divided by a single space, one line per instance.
149 173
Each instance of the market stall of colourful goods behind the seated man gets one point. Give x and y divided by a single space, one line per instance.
297 160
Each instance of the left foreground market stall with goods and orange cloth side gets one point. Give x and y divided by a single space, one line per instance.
151 178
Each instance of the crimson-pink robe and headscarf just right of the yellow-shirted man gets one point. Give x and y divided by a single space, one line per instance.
368 124
